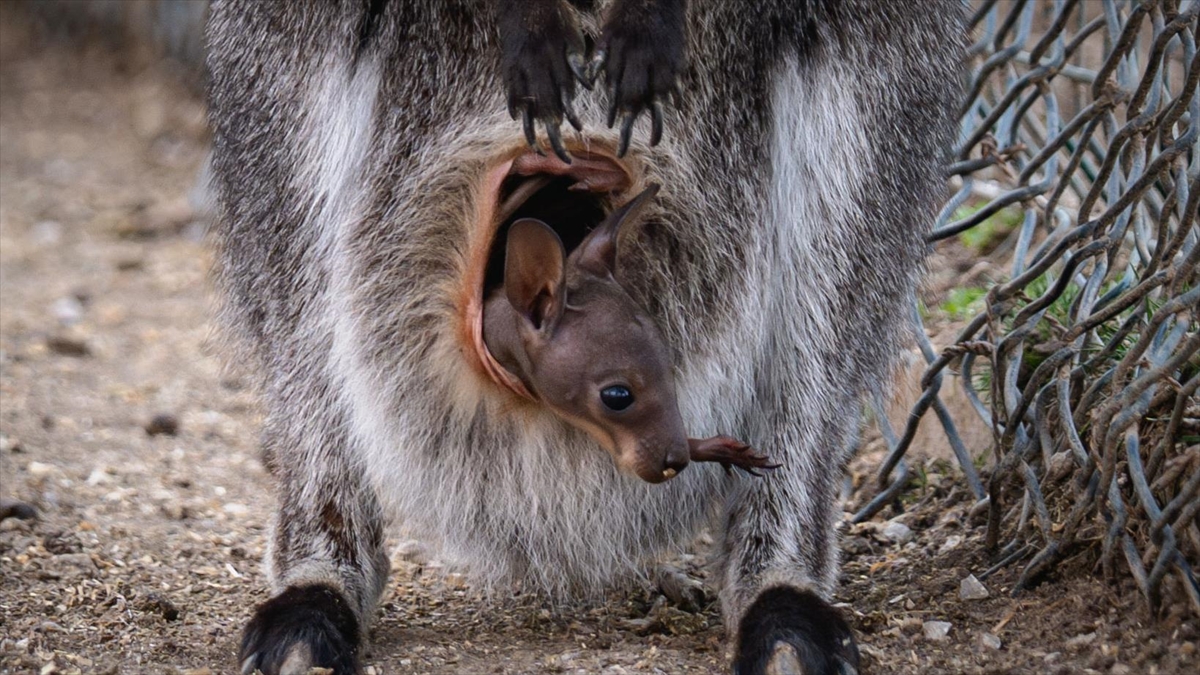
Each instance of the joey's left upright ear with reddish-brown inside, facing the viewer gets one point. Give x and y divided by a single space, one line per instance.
535 278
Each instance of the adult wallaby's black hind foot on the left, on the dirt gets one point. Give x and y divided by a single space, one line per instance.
303 628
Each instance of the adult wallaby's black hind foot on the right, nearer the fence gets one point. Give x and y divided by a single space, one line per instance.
789 631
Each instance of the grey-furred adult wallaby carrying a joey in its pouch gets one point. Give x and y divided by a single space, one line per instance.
362 154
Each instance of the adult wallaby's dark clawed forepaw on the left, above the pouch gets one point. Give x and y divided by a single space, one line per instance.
543 57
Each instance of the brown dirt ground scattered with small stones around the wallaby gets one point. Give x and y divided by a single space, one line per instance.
119 426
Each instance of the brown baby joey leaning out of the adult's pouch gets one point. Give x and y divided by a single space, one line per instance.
573 339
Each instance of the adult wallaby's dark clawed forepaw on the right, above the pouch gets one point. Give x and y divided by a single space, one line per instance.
641 55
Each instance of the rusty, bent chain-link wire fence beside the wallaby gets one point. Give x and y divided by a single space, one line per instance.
1084 362
